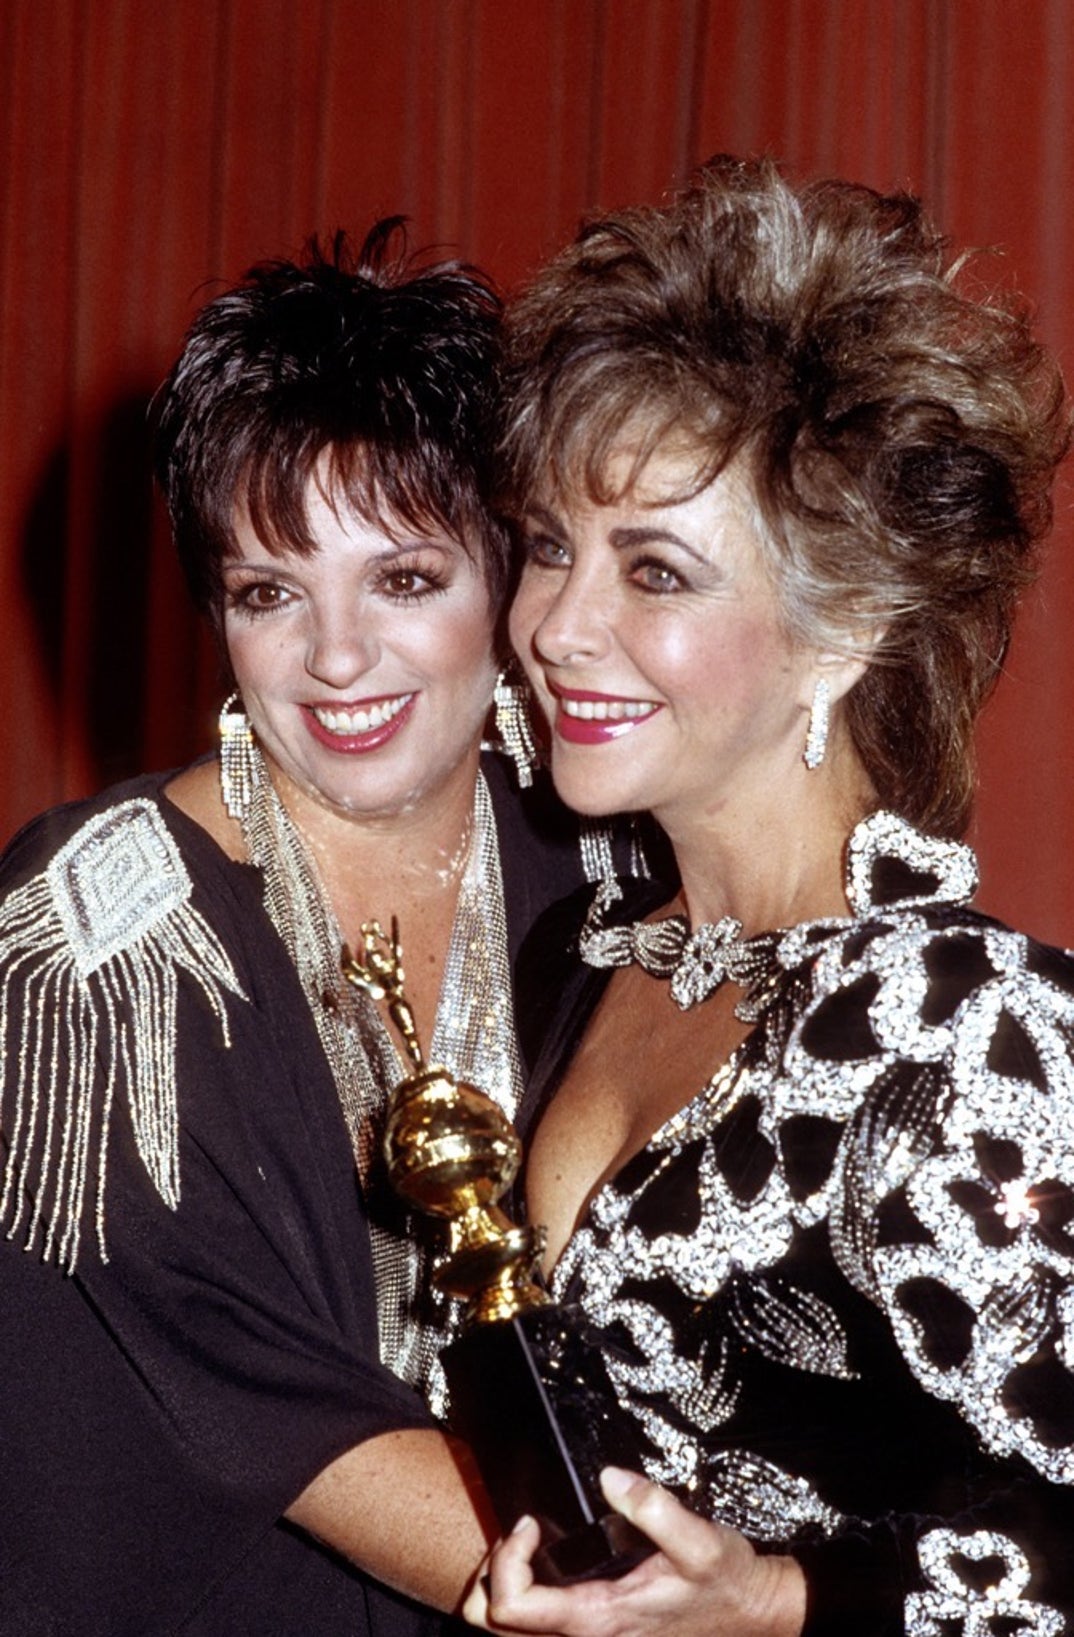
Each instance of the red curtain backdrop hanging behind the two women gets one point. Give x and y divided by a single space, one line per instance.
153 148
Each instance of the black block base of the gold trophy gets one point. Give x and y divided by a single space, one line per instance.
539 1414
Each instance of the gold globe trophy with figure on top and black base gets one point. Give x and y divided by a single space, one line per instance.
528 1392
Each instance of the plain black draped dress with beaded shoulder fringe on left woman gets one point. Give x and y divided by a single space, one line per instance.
189 1325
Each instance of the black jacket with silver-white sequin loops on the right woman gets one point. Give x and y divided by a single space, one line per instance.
836 1292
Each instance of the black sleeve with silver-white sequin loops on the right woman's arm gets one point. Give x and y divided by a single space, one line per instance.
950 1212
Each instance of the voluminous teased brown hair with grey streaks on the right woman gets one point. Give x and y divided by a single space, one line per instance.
900 431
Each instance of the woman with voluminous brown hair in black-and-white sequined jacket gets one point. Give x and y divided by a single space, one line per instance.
803 1135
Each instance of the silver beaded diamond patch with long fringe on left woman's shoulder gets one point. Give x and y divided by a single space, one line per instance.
101 926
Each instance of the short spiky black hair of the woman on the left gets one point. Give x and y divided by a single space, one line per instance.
376 363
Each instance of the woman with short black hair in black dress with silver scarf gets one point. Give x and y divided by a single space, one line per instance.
204 1356
